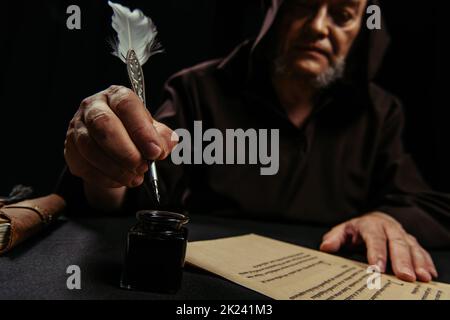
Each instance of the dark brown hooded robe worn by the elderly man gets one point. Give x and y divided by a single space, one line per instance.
347 160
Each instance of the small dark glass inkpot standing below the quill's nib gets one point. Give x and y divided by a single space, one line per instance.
155 252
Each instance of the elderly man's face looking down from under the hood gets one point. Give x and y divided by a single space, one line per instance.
315 36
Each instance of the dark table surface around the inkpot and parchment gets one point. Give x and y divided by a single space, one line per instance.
37 268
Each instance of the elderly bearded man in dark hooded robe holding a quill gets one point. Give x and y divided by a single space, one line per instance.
309 74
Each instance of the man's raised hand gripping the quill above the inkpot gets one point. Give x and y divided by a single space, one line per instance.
111 138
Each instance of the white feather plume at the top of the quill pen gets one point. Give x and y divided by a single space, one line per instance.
135 31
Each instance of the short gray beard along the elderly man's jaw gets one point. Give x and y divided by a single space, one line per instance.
323 80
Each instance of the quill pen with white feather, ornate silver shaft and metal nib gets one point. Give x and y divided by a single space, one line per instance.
136 42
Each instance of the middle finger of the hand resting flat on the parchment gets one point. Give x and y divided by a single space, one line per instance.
400 253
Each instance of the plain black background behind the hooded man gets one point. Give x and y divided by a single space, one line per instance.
46 70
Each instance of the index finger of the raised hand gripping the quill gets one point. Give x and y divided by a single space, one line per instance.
152 143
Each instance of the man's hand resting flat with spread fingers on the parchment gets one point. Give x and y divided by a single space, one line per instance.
383 235
